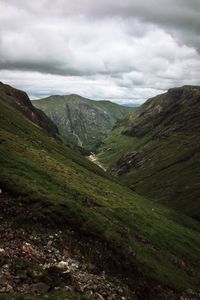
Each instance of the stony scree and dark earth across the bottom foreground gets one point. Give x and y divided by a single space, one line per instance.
40 261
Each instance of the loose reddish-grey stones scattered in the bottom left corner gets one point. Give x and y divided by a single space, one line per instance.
43 261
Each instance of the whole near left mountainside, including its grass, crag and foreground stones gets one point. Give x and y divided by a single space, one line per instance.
68 230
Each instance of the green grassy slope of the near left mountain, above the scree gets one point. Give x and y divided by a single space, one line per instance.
156 249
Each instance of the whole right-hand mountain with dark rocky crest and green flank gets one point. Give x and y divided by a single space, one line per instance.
156 149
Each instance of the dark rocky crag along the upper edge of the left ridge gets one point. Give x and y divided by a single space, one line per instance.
21 102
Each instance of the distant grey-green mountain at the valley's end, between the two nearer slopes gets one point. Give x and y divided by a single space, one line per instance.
81 121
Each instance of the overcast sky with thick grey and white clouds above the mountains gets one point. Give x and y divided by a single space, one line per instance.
124 51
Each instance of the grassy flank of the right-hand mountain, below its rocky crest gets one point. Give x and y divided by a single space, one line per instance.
166 169
